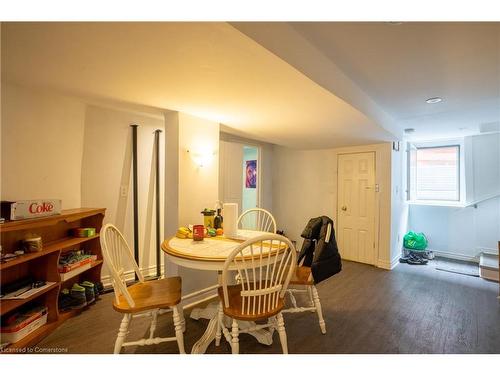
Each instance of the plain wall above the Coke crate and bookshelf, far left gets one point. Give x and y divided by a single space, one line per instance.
42 143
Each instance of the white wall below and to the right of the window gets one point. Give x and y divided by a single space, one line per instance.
464 232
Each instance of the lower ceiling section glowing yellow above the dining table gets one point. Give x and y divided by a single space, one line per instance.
210 70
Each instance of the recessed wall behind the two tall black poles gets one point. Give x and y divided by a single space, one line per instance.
107 175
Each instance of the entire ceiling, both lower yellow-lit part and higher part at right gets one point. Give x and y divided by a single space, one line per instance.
302 85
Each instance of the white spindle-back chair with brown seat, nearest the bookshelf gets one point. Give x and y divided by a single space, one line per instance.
143 299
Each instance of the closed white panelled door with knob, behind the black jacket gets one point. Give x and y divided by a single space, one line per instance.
356 207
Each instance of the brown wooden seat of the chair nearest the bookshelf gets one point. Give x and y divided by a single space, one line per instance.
153 294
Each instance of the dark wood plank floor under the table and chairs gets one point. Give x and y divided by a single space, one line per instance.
412 309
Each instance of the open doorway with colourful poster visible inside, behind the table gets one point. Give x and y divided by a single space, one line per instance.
239 167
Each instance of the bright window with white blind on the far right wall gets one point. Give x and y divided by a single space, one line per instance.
434 173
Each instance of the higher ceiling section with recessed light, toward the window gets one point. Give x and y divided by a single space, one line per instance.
399 66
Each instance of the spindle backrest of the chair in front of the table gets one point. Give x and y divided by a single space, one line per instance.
264 265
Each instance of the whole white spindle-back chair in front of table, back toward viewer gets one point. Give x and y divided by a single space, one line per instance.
265 265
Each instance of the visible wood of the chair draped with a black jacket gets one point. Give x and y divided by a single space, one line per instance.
303 277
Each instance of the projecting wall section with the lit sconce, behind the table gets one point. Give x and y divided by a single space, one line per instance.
189 188
